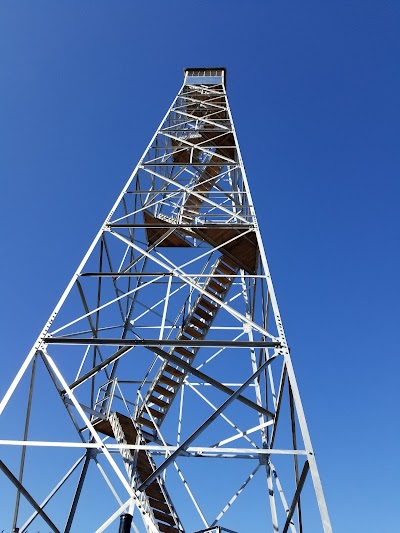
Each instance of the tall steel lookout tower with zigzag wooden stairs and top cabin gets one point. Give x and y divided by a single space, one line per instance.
160 395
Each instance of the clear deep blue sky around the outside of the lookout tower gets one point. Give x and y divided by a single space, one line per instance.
314 90
